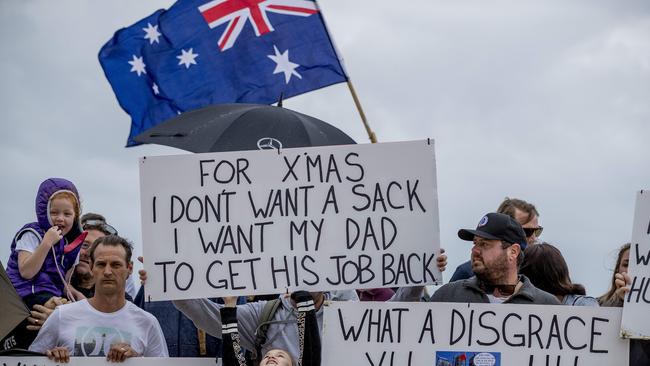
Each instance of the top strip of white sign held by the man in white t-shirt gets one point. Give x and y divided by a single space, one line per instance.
101 361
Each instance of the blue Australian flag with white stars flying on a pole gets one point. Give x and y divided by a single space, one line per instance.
201 52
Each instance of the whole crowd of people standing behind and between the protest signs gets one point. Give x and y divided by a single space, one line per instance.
75 274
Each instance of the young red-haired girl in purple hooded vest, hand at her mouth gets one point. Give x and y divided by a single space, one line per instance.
40 252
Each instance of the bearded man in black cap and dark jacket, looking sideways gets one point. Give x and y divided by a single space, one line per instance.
499 242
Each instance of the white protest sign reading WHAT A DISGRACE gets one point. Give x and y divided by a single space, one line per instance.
445 334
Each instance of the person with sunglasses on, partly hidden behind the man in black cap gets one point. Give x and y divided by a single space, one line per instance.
526 215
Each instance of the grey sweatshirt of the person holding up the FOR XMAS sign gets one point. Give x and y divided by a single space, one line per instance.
205 315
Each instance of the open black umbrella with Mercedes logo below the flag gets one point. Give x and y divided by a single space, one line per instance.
236 127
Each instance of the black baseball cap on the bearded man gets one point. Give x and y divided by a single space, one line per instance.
496 226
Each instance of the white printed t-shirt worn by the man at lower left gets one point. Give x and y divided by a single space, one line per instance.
86 331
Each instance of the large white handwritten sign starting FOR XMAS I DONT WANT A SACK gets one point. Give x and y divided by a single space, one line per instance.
256 222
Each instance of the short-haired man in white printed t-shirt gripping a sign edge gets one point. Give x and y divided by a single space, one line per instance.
106 325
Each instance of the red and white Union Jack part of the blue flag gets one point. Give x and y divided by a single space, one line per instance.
237 12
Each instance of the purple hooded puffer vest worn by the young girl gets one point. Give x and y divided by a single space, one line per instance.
48 278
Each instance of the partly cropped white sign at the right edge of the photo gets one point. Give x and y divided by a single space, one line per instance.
636 323
